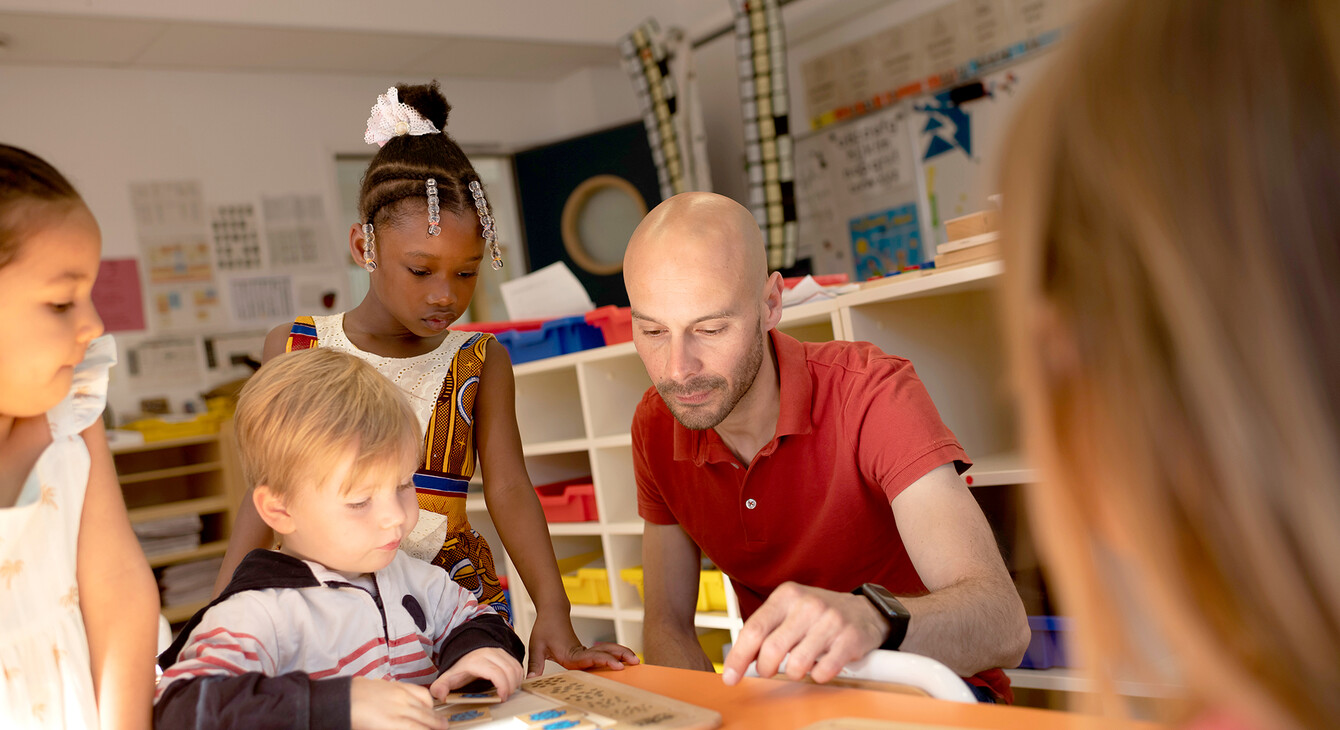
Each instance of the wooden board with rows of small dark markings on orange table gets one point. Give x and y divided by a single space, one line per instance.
628 707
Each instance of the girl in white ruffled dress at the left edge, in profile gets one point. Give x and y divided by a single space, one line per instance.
78 605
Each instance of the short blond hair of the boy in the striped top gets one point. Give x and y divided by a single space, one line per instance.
306 409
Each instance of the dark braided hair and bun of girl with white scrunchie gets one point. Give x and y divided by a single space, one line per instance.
400 169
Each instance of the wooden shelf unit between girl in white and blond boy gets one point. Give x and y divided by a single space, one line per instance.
180 479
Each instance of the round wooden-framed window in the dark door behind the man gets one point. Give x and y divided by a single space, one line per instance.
598 220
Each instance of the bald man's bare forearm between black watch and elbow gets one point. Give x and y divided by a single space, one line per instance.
972 626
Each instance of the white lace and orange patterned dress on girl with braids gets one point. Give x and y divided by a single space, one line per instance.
442 388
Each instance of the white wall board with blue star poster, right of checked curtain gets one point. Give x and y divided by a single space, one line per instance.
874 194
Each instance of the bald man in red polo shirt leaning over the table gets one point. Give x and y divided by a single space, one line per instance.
819 478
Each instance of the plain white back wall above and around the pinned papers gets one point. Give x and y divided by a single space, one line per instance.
246 136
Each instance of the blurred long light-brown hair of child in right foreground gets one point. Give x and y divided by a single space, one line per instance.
1173 303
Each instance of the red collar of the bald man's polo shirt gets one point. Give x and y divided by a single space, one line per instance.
794 416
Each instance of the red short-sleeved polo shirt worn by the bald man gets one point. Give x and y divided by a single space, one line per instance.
856 428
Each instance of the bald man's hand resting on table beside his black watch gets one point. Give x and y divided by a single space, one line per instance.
821 630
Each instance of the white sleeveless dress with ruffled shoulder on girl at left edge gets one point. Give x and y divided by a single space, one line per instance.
44 648
